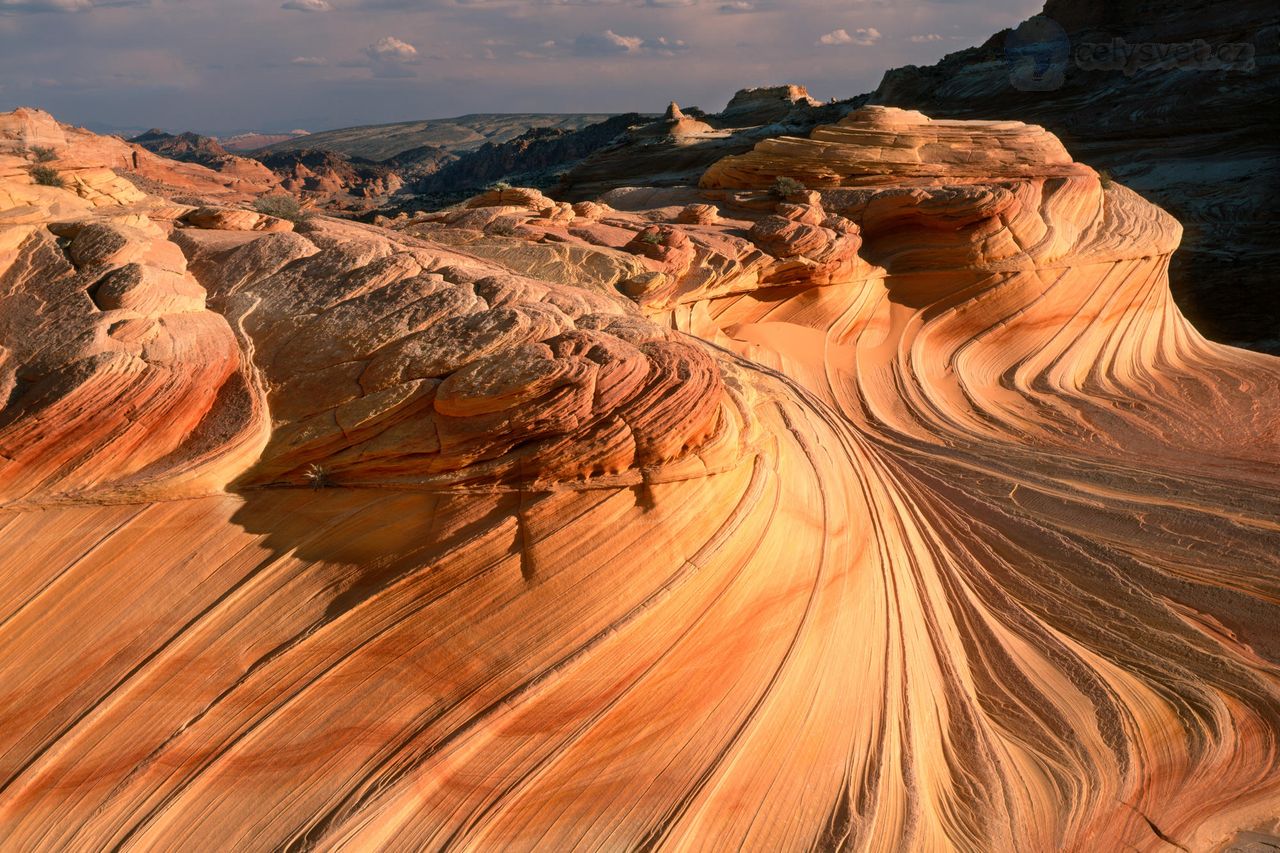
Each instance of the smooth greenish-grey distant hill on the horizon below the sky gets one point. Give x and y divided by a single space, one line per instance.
461 134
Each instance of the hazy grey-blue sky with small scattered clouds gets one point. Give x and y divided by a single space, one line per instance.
222 66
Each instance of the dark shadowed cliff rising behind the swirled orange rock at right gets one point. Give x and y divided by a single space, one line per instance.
1195 135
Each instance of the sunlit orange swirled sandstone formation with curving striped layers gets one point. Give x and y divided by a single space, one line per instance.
892 507
